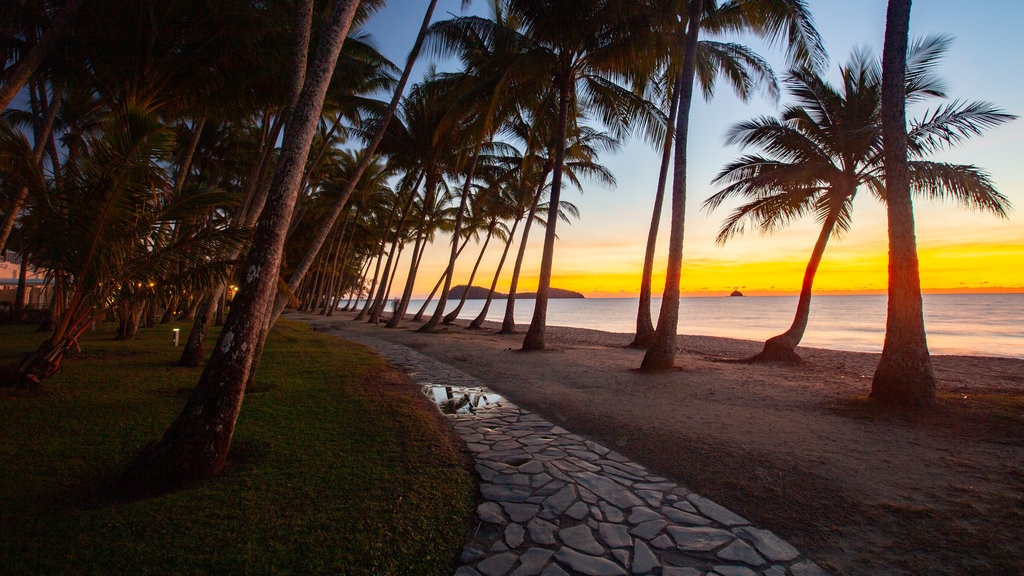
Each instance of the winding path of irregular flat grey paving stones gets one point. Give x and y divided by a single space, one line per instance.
557 504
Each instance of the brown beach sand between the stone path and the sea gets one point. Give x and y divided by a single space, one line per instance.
795 449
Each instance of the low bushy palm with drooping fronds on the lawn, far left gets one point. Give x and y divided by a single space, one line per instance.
105 238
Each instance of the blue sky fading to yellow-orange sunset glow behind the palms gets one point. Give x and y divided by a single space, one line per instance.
602 255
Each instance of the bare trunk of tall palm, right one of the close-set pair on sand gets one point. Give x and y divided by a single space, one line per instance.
662 352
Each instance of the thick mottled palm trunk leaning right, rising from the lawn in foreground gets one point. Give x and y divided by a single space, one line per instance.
196 445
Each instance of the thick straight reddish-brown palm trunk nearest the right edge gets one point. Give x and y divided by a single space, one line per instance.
905 376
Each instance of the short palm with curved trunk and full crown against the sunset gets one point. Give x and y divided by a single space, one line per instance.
829 144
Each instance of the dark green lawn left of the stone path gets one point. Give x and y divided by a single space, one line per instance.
337 468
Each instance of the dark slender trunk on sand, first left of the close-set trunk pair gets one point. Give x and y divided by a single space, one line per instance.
535 335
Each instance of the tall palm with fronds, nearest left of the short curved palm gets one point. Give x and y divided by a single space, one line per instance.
766 18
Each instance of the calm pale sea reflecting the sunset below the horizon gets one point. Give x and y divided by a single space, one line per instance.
961 324
